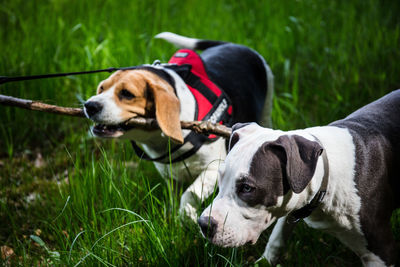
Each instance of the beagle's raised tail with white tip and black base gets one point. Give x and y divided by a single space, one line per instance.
187 42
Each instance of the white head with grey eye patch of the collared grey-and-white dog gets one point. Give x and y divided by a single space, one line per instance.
263 170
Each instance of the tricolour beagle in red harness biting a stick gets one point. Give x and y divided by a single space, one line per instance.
236 79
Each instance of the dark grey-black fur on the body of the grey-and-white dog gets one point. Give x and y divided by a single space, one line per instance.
376 134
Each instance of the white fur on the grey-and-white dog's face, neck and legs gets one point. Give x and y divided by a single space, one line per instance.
338 214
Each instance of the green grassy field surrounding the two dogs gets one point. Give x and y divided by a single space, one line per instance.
67 198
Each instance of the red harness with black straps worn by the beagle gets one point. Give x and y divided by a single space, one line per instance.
211 103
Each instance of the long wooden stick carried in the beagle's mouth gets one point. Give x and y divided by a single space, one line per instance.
202 127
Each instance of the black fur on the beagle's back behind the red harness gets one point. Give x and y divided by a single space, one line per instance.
241 73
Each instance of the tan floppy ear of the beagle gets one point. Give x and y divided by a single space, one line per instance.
167 108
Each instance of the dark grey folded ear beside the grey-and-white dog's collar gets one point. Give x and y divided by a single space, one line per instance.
299 158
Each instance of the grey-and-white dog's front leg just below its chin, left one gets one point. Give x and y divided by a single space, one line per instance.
277 240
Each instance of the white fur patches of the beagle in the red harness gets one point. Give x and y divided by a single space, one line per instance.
203 166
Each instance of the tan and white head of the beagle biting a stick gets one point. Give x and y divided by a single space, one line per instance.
130 93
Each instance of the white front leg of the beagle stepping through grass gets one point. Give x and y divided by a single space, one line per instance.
197 192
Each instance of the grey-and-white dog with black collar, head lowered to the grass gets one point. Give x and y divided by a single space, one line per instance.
272 175
